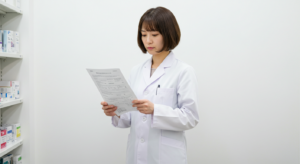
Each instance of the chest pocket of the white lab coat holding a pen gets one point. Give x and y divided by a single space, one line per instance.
165 96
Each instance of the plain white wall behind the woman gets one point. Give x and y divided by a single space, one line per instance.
246 54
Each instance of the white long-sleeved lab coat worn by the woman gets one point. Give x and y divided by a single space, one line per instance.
159 138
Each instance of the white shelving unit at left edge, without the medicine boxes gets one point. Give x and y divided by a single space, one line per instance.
5 9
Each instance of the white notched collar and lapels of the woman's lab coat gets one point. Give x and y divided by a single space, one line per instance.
160 71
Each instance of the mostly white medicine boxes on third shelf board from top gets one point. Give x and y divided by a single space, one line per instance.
9 90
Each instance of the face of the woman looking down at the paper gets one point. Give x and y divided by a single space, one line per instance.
153 41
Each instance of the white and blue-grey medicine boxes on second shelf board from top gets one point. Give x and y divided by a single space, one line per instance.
10 41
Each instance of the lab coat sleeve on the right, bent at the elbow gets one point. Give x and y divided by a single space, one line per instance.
185 116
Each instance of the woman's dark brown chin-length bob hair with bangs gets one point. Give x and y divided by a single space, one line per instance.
162 20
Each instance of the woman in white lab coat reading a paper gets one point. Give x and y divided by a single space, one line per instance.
166 89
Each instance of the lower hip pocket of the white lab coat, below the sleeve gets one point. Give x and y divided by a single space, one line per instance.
172 151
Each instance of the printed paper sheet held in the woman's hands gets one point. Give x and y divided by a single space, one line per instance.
114 89
